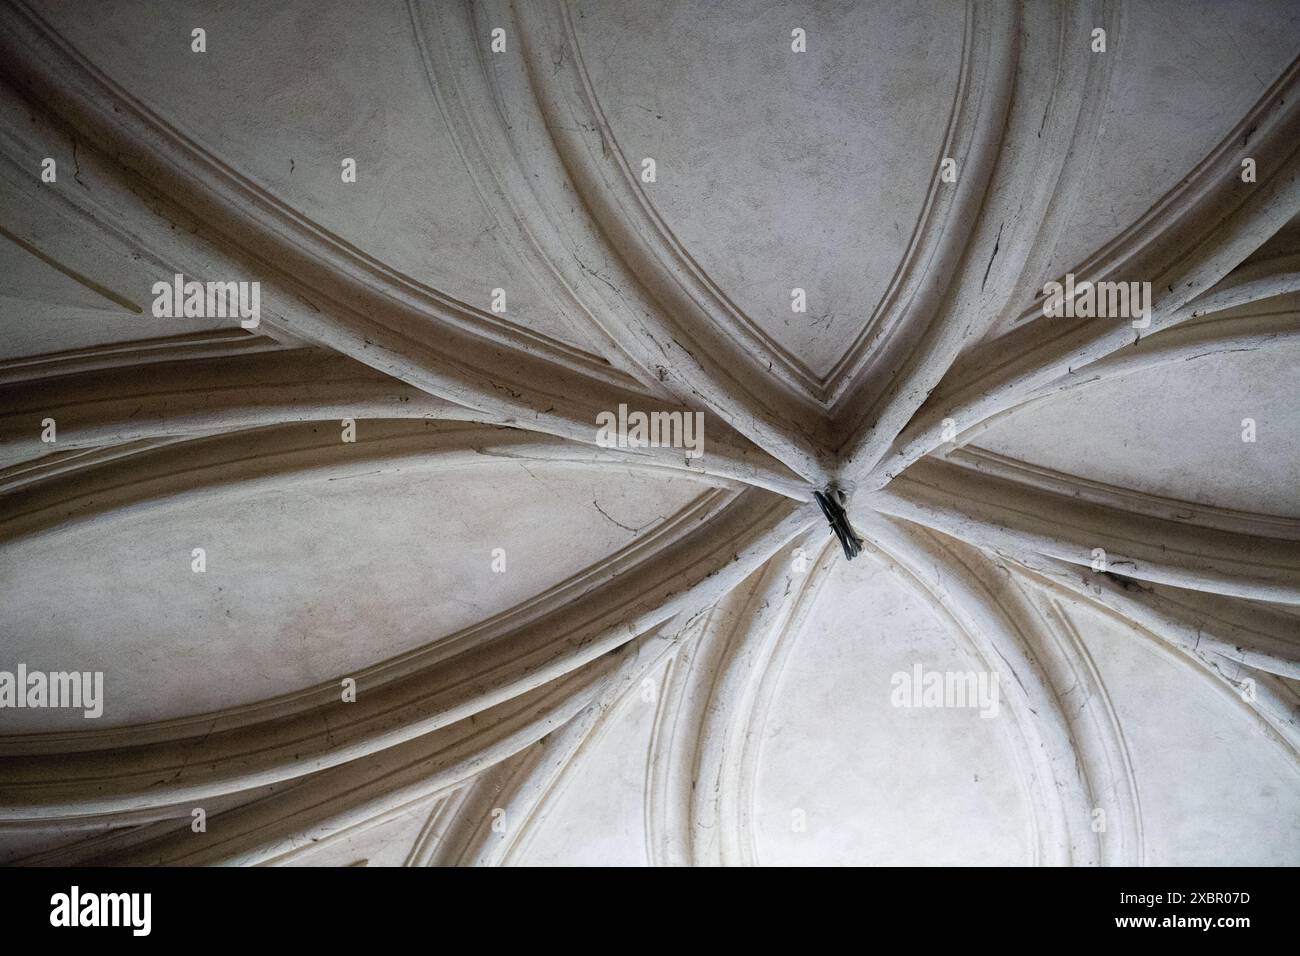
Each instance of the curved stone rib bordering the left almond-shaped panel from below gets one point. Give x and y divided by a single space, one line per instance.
427 691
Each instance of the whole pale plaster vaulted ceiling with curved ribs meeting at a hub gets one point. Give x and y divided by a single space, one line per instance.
570 654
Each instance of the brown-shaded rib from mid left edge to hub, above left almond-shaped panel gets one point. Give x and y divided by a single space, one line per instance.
189 400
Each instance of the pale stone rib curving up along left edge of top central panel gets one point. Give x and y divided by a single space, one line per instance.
661 308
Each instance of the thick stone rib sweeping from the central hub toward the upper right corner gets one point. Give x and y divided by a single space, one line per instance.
1185 246
